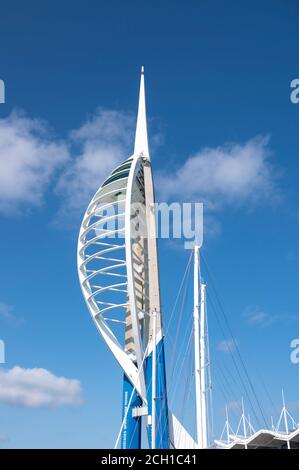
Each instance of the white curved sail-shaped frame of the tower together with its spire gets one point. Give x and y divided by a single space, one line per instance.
130 361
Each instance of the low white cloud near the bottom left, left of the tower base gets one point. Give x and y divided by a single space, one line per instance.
35 388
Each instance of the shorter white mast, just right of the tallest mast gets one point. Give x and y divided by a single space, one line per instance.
203 363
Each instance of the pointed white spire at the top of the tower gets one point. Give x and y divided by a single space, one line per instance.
141 139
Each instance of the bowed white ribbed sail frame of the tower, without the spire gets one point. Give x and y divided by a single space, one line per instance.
91 291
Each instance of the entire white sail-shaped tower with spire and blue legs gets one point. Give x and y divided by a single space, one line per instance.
119 277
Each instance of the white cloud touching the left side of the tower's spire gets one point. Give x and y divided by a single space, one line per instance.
99 145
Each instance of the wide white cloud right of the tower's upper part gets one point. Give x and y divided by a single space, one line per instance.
230 174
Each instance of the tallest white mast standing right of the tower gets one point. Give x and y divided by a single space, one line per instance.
197 349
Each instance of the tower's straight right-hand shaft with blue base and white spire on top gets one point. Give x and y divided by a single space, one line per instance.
155 370
